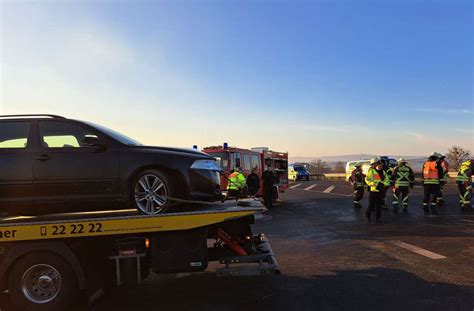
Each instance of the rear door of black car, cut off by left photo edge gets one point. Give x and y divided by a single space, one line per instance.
16 172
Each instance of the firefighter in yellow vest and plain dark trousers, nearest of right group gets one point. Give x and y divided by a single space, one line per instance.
375 179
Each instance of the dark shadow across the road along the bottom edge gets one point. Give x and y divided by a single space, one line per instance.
373 289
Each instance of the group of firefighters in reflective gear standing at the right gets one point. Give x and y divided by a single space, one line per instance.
381 177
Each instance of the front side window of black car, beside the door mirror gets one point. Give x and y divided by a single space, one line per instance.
54 134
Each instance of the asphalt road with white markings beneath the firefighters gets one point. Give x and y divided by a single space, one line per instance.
332 259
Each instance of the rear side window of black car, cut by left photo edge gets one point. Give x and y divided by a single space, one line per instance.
14 135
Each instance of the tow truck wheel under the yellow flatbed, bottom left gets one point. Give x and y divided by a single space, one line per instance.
34 281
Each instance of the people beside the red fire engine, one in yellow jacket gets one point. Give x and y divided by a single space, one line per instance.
239 186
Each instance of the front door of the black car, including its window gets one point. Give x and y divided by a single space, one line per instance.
67 171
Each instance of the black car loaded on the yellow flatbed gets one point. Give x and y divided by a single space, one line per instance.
48 163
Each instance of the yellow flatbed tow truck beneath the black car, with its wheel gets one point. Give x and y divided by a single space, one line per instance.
50 262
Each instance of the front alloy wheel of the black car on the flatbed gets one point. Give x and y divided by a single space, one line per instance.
147 200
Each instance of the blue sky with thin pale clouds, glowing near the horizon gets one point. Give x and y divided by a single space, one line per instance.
313 78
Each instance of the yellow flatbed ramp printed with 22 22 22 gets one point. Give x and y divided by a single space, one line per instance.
88 224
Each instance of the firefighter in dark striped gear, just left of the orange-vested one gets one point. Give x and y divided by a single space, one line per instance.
402 179
